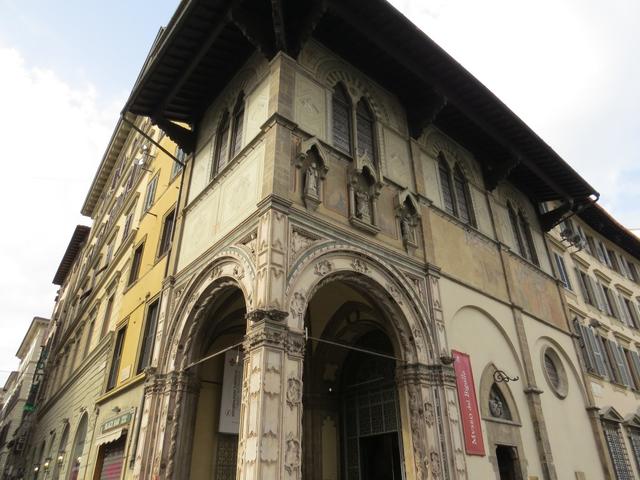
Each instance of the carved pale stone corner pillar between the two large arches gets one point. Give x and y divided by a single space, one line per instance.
271 415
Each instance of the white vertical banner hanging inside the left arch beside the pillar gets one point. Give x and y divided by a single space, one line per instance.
231 393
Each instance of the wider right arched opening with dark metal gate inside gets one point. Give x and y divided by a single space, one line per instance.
351 423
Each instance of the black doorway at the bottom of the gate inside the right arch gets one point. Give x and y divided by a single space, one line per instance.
380 457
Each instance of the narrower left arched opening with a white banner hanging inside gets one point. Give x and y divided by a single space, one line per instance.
214 405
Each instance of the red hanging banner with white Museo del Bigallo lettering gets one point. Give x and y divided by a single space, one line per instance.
471 422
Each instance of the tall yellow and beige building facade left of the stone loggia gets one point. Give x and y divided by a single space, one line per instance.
106 313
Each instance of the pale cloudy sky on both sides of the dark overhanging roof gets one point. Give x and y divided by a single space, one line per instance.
568 68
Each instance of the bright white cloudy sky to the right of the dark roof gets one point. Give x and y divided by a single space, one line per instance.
568 69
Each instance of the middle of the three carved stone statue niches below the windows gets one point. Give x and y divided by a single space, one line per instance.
365 185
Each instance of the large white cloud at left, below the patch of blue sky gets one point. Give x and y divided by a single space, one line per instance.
53 135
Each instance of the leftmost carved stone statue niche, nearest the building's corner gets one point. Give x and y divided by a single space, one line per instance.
313 165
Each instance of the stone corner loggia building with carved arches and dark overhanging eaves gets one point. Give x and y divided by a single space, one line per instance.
360 283
